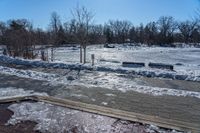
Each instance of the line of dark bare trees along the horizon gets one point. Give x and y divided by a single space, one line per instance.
20 35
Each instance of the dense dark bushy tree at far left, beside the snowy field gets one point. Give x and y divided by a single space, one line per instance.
18 37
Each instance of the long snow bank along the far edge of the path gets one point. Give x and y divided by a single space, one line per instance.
182 75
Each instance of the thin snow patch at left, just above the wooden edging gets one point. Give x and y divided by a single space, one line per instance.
10 92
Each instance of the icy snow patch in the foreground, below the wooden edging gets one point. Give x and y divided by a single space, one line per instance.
56 119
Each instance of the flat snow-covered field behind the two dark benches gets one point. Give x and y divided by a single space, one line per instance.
186 60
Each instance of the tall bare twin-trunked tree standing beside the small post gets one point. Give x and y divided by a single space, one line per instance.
83 19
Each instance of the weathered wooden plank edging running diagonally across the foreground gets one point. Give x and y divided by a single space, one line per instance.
111 112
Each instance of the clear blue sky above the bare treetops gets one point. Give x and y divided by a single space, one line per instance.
137 11
